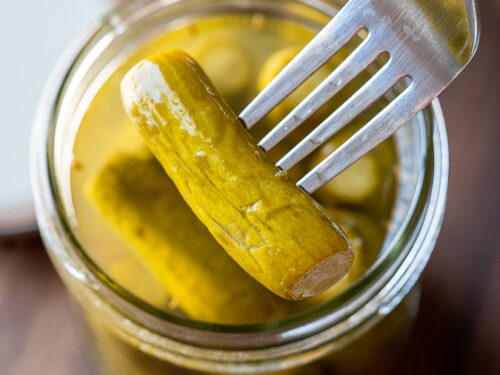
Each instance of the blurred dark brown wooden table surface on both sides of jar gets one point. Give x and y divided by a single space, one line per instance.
458 327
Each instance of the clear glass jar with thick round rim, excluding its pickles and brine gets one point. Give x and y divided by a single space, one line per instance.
345 334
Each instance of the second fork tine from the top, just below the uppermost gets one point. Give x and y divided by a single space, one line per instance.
357 61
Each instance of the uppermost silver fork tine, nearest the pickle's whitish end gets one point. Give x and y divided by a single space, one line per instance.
317 52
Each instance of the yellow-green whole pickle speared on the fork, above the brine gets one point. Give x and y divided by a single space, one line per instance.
270 227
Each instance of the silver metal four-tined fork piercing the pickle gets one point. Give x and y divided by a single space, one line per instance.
417 49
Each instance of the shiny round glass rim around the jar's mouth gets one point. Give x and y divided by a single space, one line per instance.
384 278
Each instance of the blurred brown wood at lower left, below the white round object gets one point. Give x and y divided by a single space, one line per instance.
38 334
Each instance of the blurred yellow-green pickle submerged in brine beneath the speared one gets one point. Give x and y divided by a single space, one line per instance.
142 205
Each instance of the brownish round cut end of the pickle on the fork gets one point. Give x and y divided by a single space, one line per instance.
323 275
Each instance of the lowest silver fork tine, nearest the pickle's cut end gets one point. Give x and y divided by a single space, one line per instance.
378 129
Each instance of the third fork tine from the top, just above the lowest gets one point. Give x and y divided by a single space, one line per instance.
376 86
